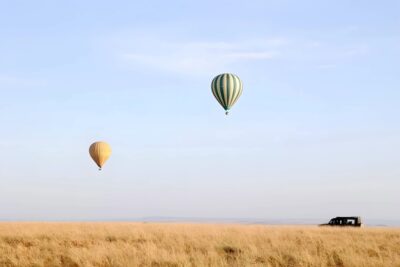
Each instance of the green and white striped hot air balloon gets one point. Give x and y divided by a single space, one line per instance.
227 89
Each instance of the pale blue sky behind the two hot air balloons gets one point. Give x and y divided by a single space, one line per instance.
315 134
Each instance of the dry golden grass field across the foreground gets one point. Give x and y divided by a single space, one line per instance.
148 244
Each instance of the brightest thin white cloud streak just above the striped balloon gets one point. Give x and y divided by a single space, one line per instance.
201 57
